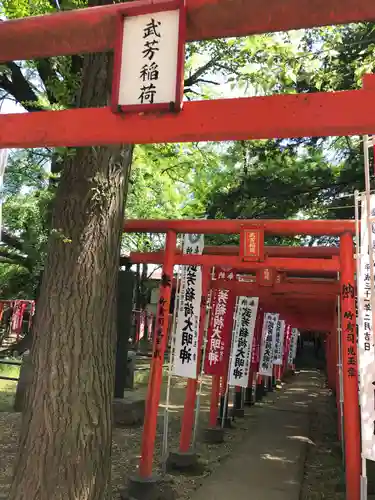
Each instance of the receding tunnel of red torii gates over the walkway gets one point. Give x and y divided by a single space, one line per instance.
303 284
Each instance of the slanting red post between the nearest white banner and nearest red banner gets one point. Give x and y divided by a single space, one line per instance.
192 384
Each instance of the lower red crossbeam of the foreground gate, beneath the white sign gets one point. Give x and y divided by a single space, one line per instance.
304 115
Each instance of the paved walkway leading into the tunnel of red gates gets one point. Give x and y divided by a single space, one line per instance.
269 463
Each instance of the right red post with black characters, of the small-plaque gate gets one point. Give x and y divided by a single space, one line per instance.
350 369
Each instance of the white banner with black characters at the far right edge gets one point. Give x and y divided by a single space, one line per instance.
366 351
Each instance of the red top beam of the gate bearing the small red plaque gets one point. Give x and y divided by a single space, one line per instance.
233 226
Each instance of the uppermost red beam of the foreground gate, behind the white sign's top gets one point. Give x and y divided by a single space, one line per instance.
94 29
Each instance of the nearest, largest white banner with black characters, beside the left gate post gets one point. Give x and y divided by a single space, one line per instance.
188 315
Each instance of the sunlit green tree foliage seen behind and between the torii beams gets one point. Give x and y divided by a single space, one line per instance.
310 177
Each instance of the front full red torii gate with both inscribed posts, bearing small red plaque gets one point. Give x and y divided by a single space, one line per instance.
331 263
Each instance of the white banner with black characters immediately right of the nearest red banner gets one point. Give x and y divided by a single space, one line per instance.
243 335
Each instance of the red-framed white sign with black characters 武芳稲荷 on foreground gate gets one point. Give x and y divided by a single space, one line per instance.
149 58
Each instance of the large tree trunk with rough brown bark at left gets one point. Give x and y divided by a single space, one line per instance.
65 443
